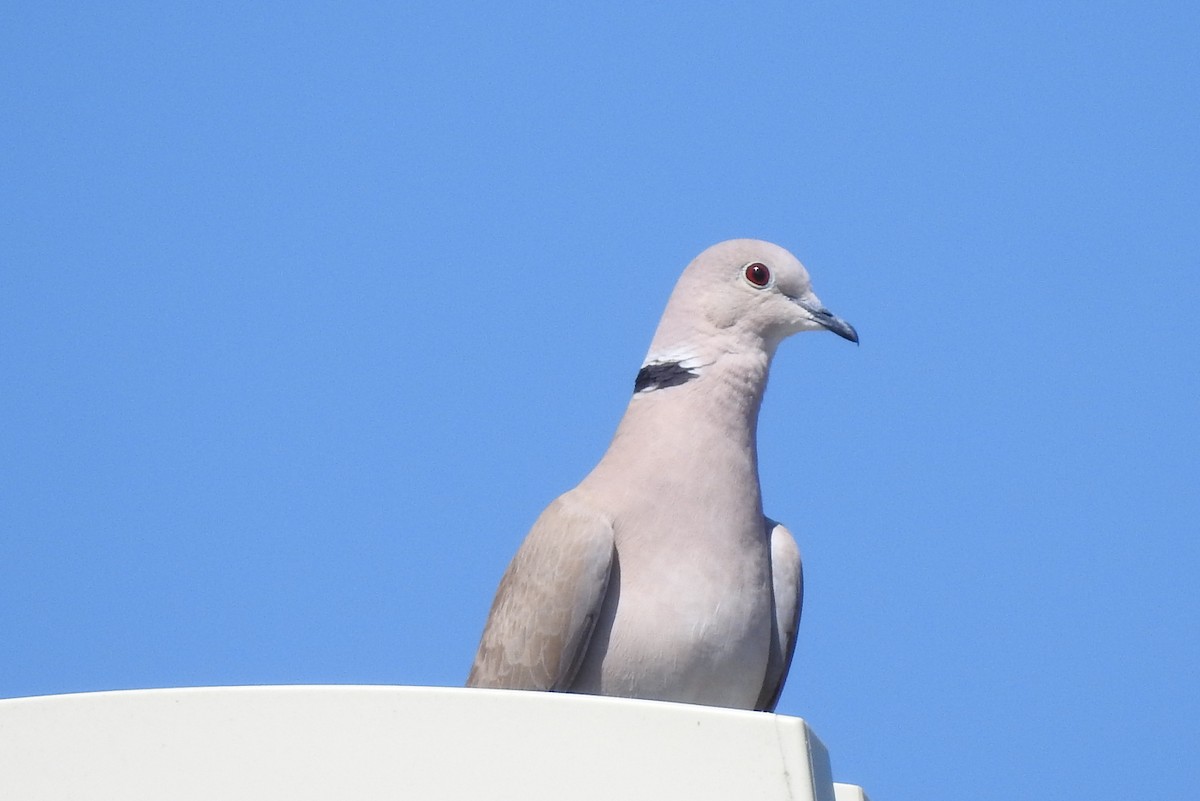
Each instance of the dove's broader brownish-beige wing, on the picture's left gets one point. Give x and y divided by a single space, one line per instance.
548 603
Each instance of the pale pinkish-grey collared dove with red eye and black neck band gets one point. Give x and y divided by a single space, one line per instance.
658 576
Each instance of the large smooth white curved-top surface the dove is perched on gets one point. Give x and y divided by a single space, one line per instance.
398 743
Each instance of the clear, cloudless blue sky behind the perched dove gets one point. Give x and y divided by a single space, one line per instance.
308 310
